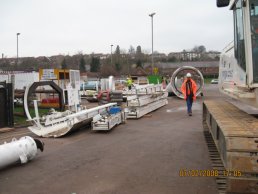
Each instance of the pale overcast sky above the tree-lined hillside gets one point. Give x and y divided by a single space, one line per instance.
52 27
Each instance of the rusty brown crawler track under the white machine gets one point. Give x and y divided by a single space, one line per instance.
232 138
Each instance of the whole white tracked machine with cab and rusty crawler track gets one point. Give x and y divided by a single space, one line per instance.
234 133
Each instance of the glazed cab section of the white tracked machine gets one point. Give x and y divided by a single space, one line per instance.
246 38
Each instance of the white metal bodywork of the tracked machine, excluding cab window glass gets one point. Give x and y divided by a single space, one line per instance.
240 85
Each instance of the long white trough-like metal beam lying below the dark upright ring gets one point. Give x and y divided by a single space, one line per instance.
57 124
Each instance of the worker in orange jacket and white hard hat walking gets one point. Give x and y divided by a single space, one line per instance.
189 89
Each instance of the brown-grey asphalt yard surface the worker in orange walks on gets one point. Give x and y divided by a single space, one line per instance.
143 156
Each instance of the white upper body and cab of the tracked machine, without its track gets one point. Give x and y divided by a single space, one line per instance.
238 70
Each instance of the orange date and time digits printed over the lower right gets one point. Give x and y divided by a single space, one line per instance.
208 173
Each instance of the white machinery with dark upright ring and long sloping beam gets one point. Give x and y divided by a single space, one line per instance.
56 124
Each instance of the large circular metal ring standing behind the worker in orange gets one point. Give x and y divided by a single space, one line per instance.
178 77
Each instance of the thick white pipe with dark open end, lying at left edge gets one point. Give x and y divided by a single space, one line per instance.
22 150
